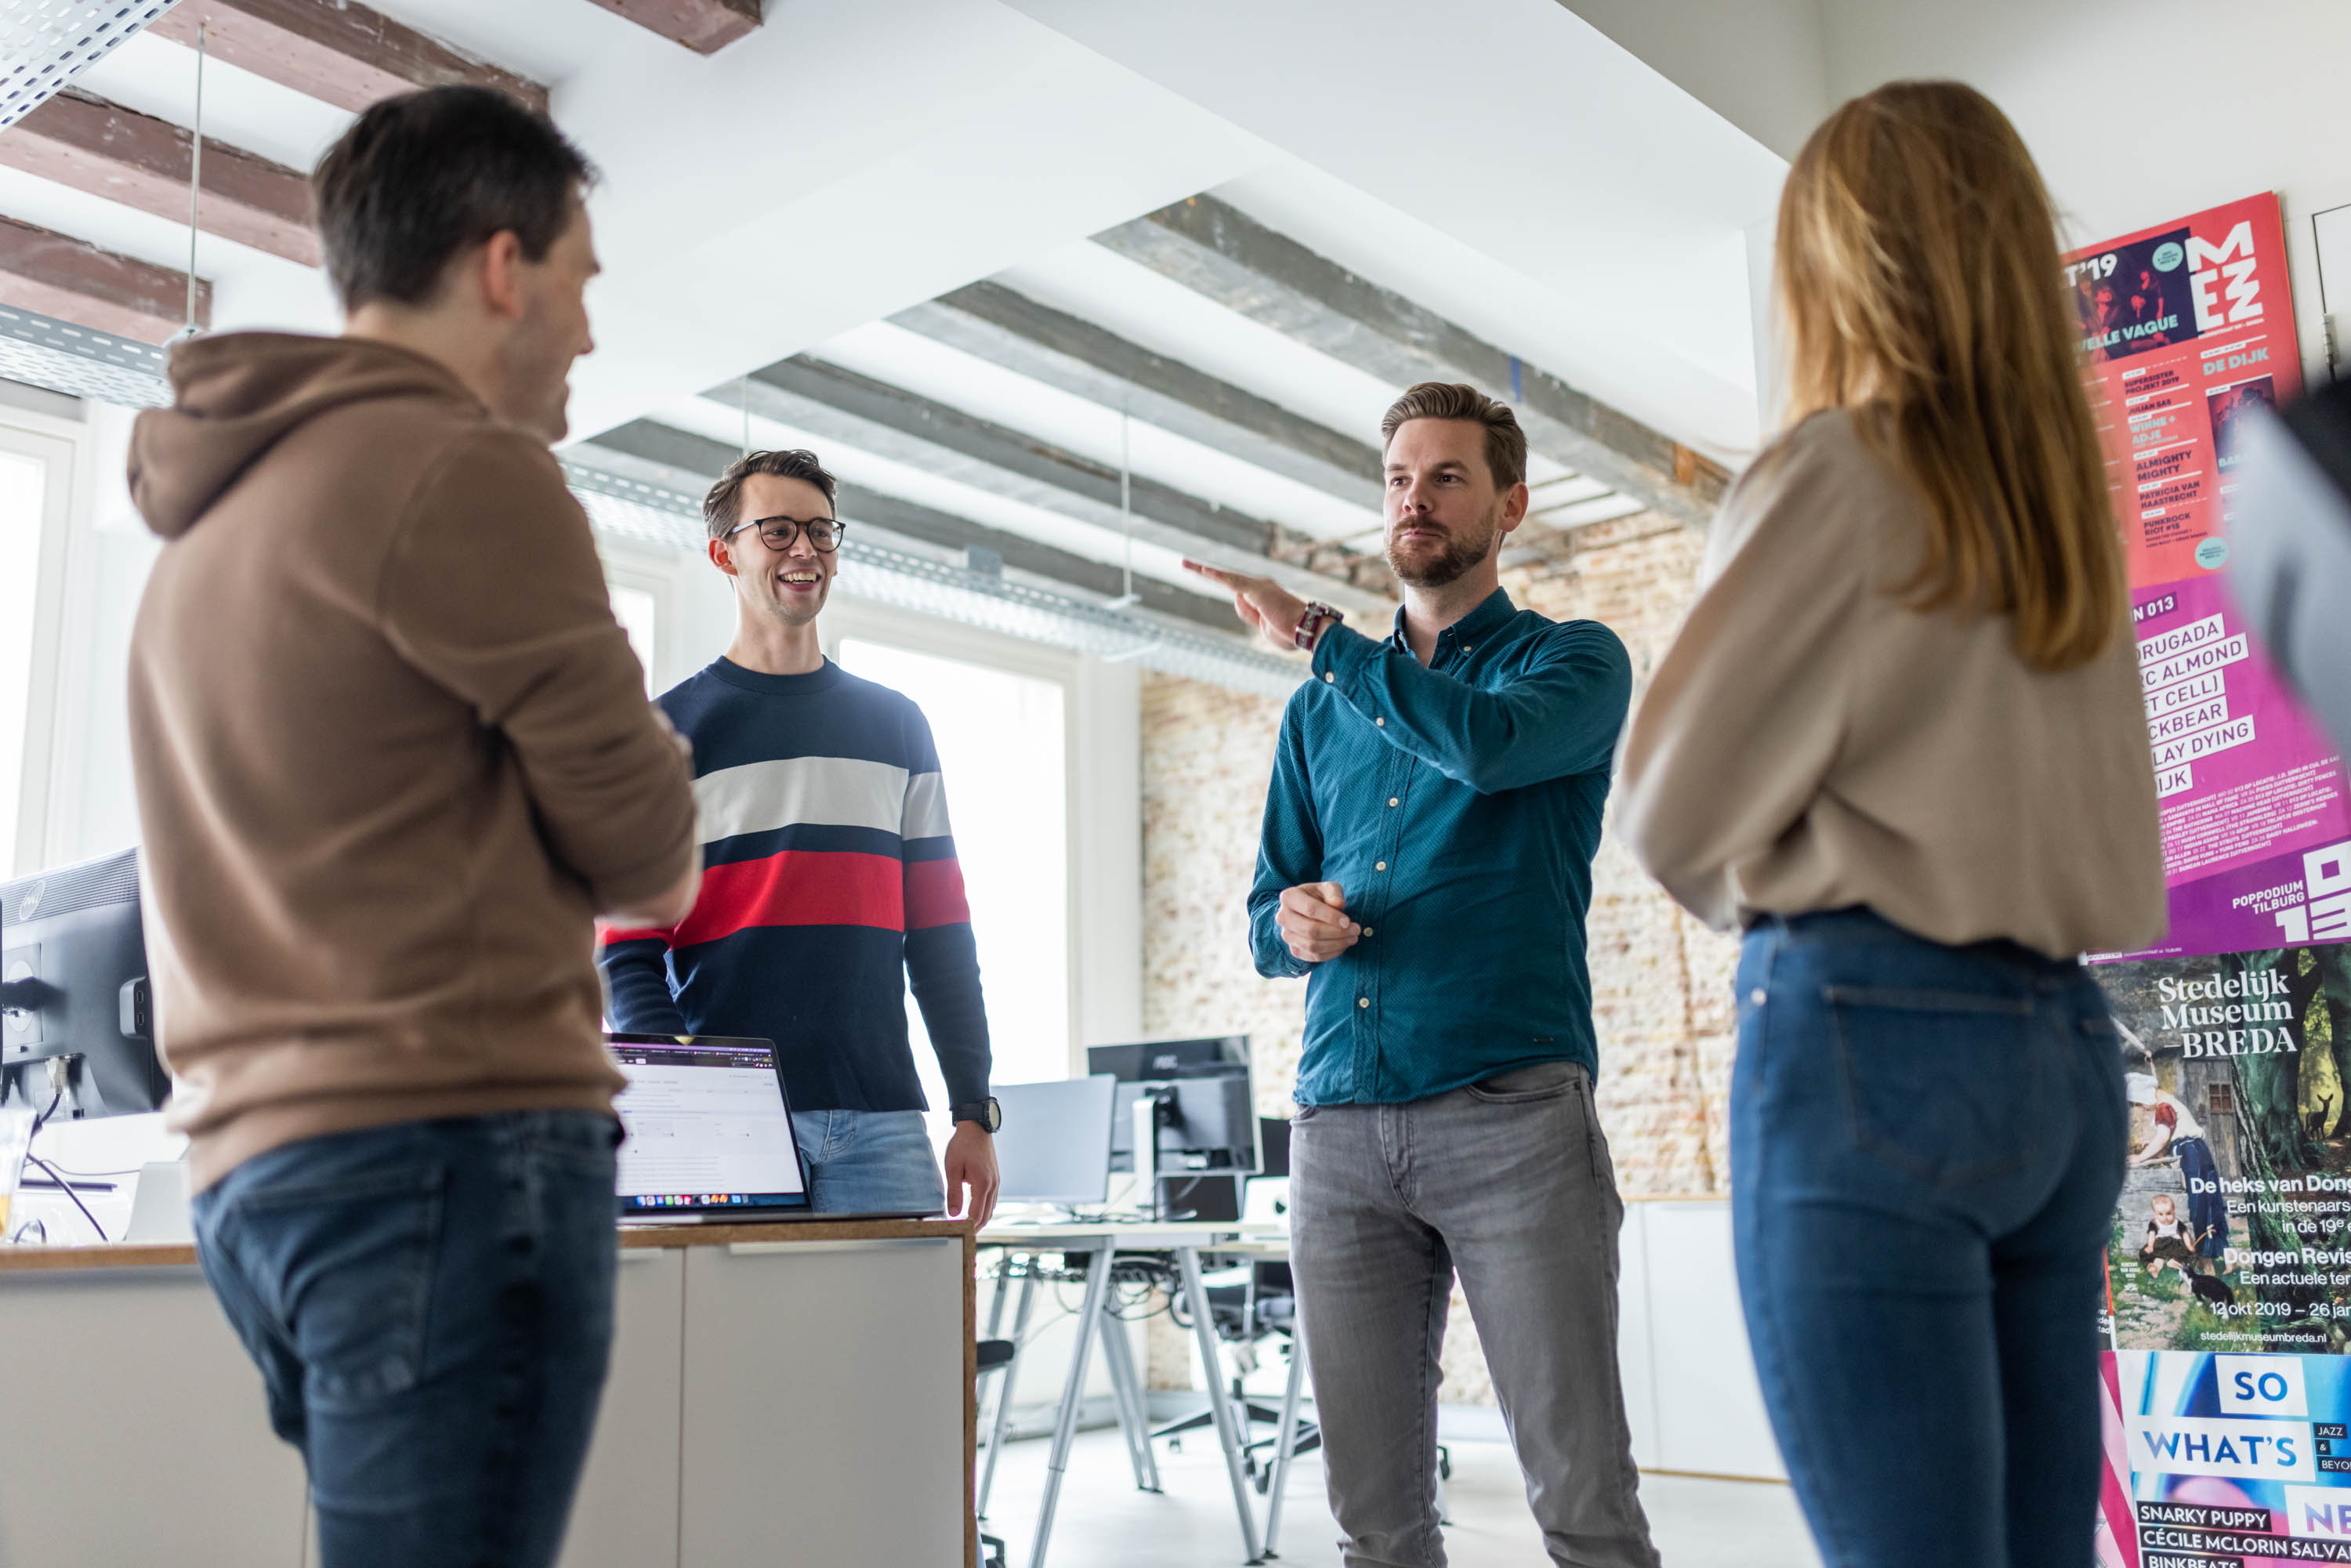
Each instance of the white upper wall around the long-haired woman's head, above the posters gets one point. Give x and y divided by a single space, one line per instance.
2138 112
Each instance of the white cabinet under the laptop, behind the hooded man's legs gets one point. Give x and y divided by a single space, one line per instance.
777 1395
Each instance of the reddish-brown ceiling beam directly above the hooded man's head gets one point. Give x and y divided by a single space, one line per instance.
335 51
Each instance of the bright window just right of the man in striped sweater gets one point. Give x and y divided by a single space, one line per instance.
1003 753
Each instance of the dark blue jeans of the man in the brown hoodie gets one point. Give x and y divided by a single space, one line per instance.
431 1313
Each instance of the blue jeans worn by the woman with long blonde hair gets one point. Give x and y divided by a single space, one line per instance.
1927 1148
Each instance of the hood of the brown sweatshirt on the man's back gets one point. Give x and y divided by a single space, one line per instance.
241 394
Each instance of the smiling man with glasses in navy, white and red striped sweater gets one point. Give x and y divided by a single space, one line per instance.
829 873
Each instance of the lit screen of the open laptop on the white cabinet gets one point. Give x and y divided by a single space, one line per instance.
709 1127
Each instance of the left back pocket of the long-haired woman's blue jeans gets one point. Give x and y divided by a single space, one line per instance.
1941 1085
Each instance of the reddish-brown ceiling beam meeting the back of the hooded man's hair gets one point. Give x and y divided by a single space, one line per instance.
142 163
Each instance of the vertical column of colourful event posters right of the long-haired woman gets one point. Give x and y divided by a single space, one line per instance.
2230 1261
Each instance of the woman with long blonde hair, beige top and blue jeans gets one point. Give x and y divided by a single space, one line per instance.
1901 744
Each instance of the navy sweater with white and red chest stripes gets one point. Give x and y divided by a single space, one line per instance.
829 885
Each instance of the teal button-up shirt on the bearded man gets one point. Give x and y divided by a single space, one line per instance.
1459 808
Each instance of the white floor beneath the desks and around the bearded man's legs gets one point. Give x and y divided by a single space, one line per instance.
1104 1520
